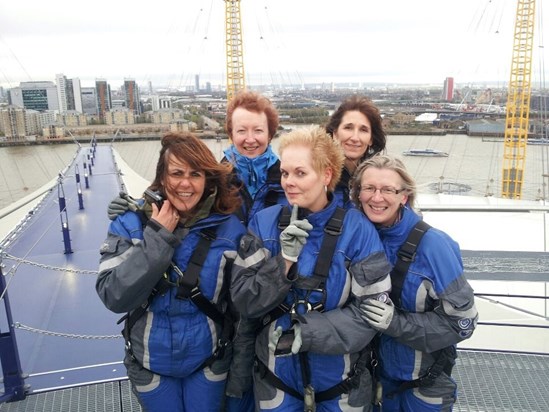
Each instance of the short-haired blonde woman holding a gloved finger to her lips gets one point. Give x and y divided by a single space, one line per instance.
320 340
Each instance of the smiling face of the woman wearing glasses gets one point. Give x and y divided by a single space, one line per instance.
381 209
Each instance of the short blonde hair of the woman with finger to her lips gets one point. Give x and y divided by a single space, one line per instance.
326 153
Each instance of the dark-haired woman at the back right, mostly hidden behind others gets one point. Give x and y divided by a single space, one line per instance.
357 125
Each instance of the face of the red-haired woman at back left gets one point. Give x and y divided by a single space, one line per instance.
250 133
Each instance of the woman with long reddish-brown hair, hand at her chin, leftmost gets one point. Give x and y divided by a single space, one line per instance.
171 348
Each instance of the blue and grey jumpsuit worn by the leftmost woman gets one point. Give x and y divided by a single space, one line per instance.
170 342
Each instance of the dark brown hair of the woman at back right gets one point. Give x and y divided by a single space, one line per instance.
365 106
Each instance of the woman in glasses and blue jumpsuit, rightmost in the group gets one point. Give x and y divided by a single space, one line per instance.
437 303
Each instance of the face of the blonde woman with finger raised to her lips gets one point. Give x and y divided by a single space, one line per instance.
302 184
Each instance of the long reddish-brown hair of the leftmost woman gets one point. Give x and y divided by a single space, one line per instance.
189 148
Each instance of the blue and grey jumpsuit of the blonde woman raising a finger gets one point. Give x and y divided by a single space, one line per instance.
333 338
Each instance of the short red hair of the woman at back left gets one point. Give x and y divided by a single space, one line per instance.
253 102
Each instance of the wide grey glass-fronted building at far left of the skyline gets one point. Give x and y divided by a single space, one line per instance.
39 96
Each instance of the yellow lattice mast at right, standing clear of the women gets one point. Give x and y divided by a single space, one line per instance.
518 101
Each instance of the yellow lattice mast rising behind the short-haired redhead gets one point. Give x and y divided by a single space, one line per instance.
234 48
